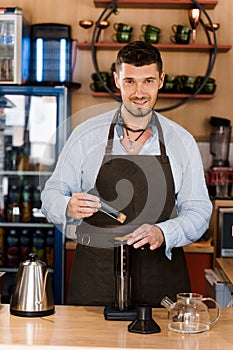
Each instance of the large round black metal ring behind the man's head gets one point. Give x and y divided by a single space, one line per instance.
112 8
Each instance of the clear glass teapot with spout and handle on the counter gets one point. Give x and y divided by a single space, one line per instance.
189 314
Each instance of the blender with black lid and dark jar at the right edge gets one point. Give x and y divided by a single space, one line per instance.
220 174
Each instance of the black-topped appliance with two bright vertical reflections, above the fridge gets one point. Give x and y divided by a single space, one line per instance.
51 53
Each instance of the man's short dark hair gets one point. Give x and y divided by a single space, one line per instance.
139 53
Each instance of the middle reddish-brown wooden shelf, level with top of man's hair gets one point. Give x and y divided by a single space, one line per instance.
162 47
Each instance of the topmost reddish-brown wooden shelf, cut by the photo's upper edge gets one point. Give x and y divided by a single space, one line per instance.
159 4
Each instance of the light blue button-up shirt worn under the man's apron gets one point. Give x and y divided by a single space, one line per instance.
81 158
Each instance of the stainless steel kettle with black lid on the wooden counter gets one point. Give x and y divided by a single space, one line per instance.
32 293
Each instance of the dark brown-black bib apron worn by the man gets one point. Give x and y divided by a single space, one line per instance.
146 195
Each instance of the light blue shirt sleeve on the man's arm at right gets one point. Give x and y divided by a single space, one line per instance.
193 204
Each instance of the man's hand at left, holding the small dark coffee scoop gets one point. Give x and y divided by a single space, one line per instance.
82 205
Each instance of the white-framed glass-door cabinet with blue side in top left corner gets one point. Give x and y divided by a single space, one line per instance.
14 46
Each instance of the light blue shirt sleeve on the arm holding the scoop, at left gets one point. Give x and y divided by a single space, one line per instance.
76 169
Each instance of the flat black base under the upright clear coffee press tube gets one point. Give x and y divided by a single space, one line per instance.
111 313
